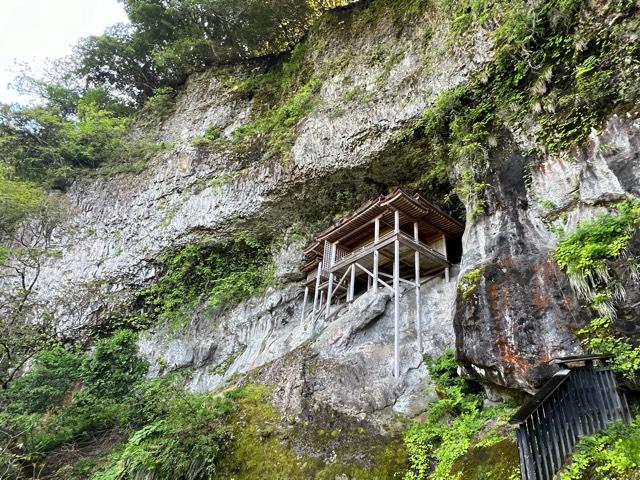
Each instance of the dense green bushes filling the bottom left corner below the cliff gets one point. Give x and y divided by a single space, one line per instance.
74 397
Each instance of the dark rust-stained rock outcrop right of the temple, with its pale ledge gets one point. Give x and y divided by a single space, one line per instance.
524 312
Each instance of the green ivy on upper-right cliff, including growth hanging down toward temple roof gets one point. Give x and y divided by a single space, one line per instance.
560 69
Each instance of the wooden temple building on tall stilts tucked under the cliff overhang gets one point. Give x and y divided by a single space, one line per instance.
391 239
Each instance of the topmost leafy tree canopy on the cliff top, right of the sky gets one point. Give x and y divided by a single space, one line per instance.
168 40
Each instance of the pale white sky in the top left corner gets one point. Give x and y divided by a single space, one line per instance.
33 30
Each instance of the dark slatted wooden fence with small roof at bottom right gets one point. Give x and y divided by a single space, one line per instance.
576 401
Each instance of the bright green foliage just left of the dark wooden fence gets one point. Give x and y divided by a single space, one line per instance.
449 432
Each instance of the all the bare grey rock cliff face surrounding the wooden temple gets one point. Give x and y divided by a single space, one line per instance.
521 314
